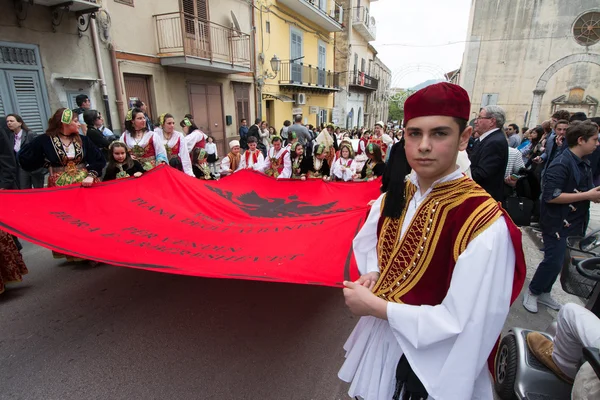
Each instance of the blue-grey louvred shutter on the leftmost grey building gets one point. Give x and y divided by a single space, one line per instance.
25 88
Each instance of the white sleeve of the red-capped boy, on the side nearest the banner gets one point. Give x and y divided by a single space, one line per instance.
365 242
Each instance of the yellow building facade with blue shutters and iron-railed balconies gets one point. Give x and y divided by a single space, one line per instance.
295 59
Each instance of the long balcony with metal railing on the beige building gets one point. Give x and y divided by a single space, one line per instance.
190 42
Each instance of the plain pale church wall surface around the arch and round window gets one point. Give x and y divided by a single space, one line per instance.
501 58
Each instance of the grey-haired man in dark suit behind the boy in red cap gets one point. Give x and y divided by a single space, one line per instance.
490 152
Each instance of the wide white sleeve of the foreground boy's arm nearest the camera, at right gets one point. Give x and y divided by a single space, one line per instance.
447 345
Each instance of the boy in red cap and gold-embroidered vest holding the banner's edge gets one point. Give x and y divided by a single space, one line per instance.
441 263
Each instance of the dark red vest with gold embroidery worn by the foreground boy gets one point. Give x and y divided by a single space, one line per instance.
418 269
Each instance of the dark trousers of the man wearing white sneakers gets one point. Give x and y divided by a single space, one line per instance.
549 268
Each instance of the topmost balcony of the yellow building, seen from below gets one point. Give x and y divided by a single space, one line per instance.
317 11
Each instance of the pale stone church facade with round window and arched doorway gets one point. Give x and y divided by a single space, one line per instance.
532 57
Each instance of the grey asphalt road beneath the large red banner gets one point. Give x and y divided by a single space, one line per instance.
79 332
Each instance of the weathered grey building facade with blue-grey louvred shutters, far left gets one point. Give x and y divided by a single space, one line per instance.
47 58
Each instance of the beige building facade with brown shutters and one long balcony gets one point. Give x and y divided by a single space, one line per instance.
187 56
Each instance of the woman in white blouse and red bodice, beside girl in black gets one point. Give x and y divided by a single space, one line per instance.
144 145
